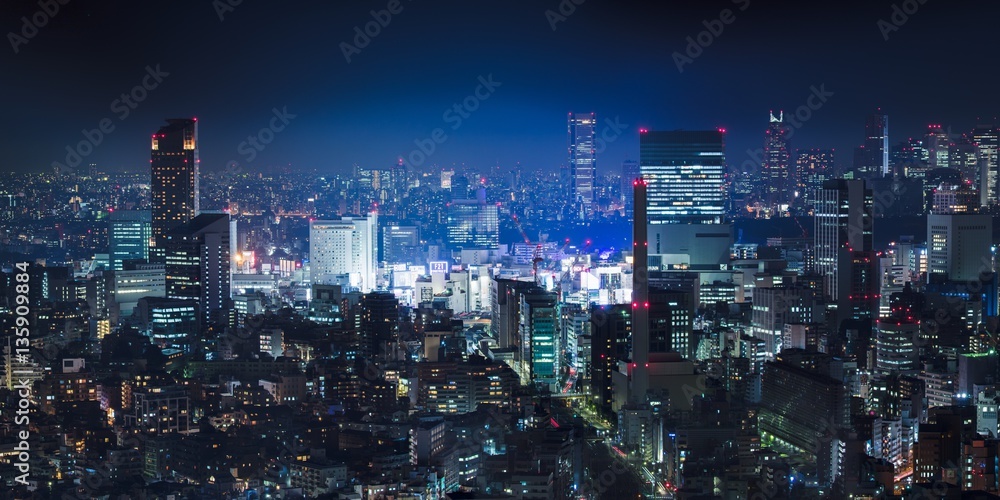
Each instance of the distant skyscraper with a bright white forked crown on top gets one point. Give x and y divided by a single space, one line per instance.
777 182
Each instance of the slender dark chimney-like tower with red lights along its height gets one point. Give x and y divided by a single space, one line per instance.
640 292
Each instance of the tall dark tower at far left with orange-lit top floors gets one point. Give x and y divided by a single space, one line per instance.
174 178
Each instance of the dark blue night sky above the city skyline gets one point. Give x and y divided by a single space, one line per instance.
610 57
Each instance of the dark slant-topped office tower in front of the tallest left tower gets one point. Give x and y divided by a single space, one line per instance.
197 264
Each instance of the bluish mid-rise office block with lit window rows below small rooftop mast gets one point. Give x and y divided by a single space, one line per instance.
473 224
